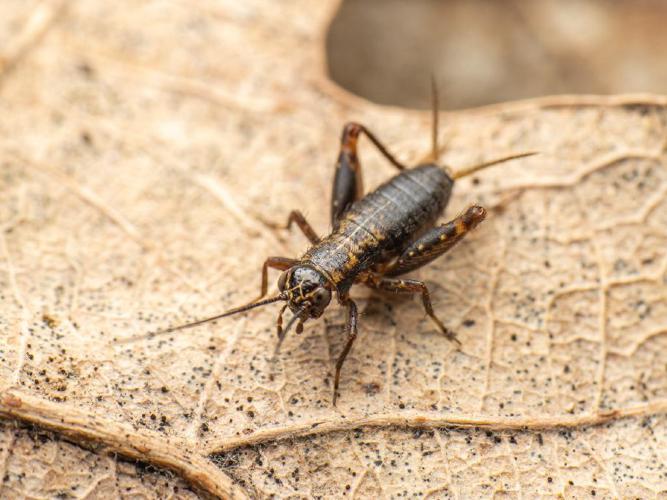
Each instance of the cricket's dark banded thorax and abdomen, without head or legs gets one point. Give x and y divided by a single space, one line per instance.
382 223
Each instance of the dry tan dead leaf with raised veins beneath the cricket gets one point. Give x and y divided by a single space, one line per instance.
144 146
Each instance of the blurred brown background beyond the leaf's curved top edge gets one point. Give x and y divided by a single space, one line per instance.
488 51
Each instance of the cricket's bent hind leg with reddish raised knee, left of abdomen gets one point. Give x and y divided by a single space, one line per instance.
348 183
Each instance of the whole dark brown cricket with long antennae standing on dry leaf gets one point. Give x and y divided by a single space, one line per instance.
375 240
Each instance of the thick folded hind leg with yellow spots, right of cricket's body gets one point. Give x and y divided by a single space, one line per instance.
437 241
